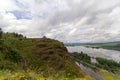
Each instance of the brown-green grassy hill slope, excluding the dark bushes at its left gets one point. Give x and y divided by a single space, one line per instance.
49 57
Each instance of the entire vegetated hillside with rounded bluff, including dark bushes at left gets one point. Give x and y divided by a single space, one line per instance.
44 56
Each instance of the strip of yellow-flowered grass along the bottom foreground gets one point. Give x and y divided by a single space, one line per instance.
31 75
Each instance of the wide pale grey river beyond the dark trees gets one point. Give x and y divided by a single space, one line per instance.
104 53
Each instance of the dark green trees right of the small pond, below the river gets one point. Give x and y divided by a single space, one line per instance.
106 64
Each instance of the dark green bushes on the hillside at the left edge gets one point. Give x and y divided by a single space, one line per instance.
8 56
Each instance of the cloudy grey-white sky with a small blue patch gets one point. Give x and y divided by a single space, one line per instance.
64 20
